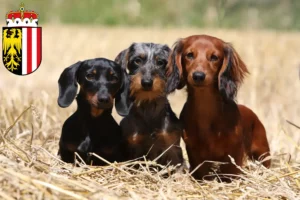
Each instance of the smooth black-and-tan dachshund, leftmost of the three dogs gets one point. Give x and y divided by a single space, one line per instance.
91 128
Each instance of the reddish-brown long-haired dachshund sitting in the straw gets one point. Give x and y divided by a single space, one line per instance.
215 126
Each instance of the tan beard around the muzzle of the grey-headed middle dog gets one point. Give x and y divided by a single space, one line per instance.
137 91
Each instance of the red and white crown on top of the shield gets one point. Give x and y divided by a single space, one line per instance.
22 17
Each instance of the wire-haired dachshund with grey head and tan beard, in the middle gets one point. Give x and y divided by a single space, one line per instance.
150 127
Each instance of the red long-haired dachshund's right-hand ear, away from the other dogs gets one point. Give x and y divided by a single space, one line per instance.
232 73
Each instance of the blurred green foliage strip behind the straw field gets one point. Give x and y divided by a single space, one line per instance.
256 14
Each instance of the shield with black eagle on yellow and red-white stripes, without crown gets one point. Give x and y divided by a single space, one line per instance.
22 49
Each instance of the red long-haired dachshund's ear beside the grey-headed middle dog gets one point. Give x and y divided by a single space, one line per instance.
174 68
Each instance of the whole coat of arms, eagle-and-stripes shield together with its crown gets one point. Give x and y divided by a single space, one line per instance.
22 42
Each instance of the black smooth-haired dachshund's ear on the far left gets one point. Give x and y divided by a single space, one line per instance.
67 85
